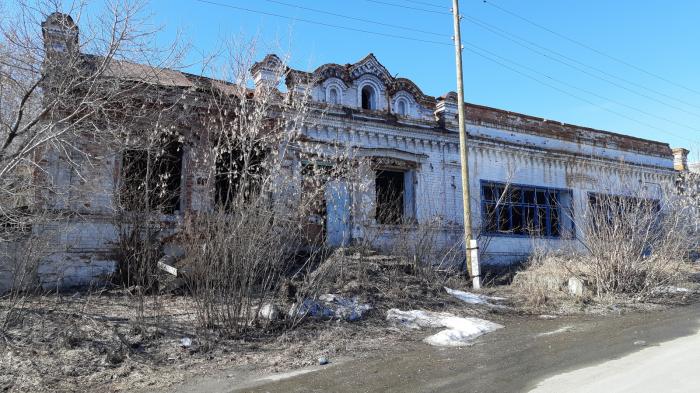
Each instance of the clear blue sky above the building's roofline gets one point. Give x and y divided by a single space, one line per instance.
657 36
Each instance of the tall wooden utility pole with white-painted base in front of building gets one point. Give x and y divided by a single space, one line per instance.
470 245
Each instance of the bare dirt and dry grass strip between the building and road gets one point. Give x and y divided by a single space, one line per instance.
100 341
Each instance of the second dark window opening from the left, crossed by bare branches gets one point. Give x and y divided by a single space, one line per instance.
238 175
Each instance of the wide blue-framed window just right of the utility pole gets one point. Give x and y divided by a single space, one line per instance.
525 210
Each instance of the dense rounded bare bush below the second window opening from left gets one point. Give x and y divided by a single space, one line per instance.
235 263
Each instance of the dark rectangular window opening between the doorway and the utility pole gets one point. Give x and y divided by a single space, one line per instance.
390 197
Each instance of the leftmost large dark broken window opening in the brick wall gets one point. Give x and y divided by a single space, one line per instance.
151 179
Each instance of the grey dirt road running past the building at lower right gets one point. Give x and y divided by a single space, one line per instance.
517 358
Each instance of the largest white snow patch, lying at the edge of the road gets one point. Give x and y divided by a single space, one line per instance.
460 330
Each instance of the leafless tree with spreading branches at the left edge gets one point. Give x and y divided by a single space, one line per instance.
73 87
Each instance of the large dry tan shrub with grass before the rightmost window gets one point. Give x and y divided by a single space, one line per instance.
631 246
